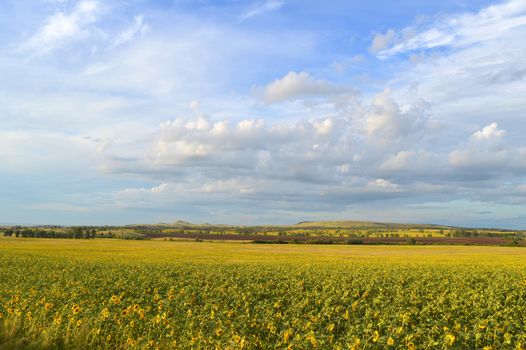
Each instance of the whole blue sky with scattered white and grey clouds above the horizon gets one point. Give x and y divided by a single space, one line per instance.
262 112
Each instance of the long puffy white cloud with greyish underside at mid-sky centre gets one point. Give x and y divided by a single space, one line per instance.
252 145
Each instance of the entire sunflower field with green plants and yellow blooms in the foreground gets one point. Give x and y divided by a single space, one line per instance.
162 294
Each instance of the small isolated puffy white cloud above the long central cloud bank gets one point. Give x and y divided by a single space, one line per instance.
298 85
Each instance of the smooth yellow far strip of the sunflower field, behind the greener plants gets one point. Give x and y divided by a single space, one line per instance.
157 251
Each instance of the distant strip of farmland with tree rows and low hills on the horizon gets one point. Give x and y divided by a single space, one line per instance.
342 232
